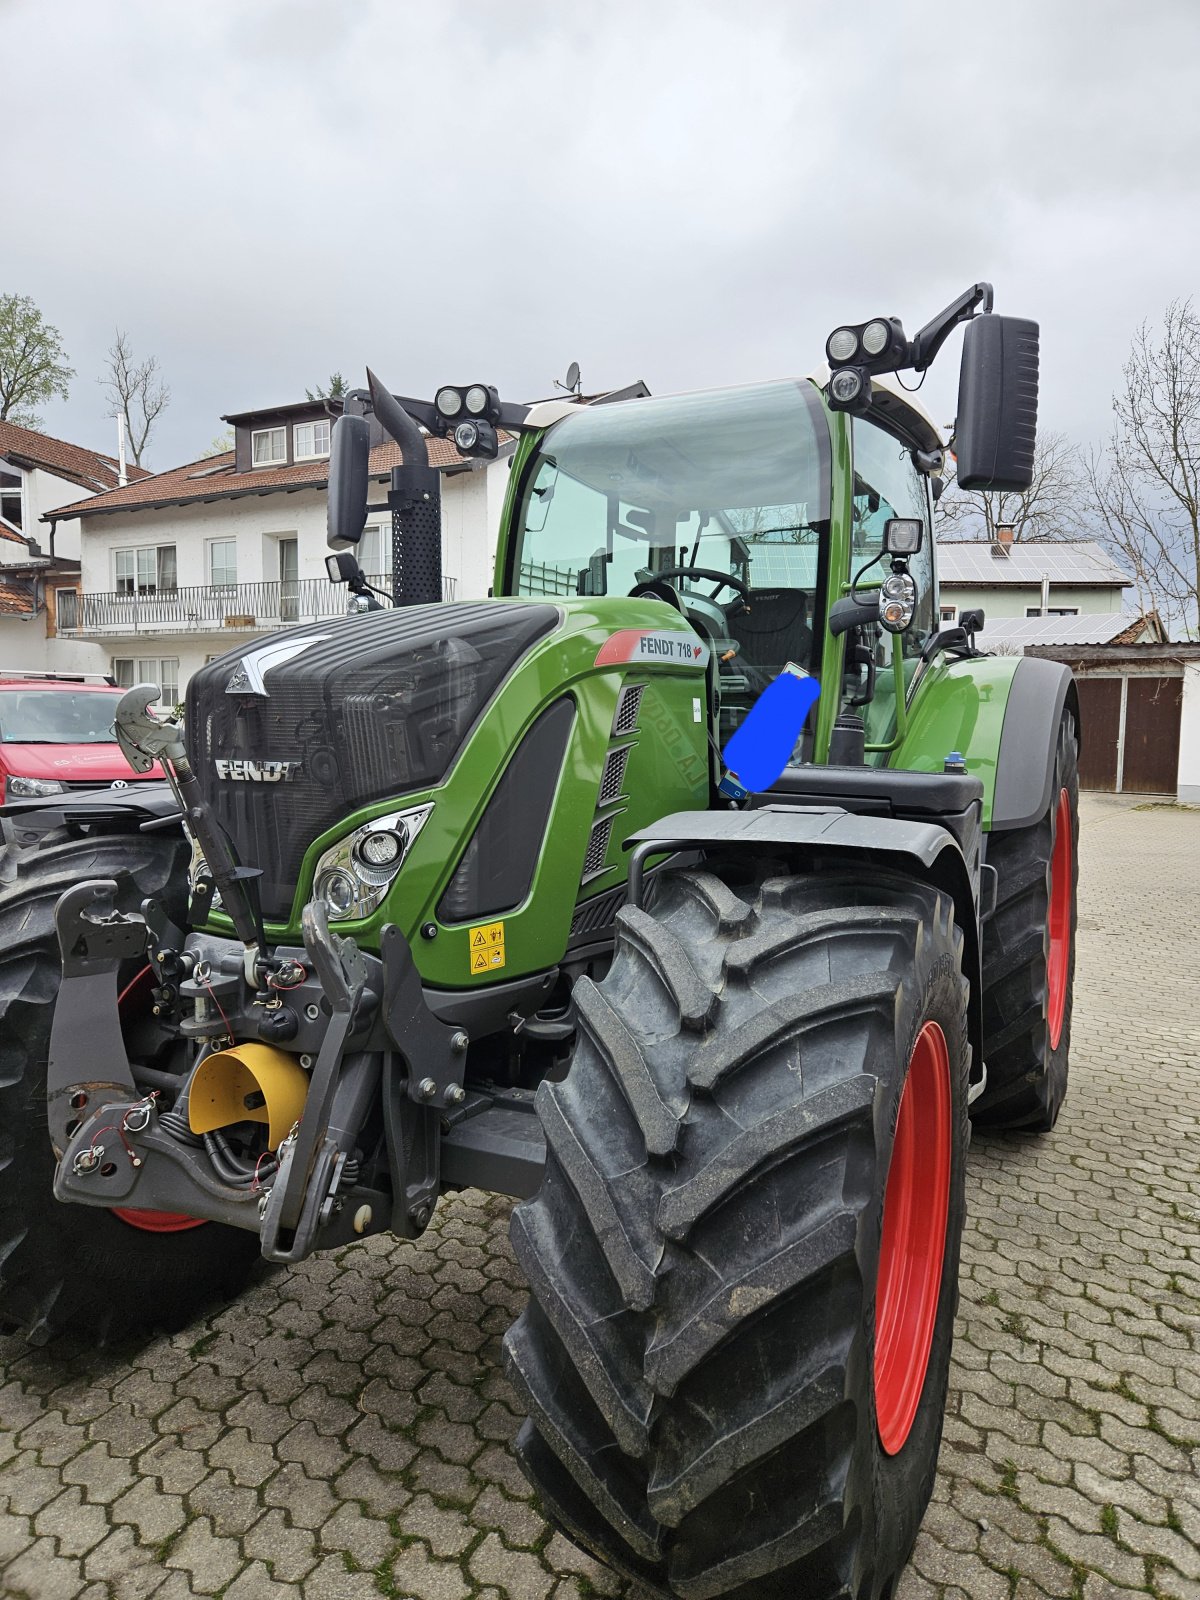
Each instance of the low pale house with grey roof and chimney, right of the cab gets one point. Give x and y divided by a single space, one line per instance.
1034 594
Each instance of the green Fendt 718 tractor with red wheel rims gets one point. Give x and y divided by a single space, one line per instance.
465 895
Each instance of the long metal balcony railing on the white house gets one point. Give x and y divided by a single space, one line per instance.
210 609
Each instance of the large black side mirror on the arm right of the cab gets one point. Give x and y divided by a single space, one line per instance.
998 404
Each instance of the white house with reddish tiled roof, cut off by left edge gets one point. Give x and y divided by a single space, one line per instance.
41 586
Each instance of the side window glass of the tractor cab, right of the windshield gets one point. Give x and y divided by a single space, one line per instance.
887 484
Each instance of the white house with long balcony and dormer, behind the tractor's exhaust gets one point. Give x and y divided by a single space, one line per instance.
188 564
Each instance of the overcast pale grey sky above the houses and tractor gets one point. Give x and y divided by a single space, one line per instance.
695 194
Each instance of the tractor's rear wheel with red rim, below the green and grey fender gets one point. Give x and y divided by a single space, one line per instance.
1030 958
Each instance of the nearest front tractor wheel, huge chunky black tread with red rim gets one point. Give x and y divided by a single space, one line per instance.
743 1257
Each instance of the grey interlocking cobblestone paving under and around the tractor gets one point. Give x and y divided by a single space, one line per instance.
343 1430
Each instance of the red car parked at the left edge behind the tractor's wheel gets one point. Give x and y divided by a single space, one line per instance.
57 735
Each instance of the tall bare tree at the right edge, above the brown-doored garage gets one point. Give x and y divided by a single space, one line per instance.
1146 487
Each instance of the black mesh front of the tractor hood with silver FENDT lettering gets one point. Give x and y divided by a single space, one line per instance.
367 708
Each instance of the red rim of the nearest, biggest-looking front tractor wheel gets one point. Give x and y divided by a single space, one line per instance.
916 1206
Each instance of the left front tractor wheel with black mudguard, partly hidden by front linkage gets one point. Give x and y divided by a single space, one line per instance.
70 1268
